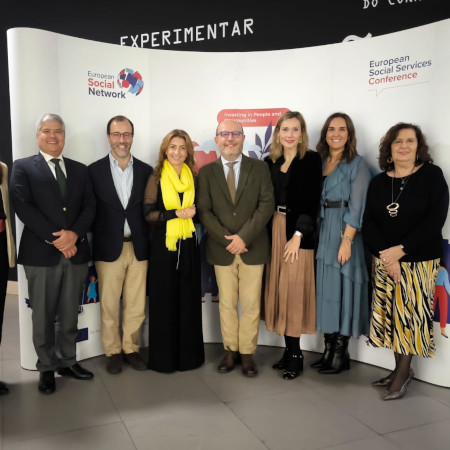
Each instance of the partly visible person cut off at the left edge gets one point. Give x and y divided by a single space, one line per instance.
7 249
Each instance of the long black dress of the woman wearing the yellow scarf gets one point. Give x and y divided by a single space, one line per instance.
175 307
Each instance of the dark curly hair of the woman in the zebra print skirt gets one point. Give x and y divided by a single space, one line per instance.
422 155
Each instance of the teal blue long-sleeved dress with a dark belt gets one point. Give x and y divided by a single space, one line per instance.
342 291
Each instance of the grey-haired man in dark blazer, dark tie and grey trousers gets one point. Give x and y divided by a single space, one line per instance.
53 198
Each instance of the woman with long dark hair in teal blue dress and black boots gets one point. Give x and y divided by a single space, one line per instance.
341 267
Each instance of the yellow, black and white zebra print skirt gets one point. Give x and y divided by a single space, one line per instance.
402 313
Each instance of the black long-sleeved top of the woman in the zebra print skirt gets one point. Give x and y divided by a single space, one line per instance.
420 218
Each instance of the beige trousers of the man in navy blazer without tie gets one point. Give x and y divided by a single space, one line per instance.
124 277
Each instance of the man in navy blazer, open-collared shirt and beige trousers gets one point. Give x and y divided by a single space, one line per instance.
121 245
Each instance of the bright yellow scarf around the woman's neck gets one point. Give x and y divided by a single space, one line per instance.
171 186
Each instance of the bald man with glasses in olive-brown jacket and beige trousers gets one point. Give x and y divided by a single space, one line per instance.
235 202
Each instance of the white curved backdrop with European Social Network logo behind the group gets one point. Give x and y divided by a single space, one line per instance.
377 81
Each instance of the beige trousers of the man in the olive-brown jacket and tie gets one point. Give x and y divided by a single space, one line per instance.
239 282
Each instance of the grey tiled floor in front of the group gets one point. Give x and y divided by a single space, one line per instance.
203 409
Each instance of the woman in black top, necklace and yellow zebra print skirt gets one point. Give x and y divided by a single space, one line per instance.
406 209
